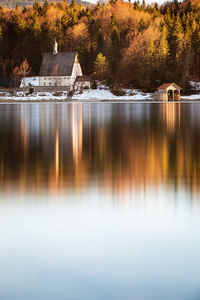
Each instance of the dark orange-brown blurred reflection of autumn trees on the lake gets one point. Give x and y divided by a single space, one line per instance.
74 146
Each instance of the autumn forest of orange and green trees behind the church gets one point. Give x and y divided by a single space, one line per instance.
121 43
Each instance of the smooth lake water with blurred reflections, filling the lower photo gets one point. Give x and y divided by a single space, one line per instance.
100 201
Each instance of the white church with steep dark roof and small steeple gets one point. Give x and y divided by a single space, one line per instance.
59 69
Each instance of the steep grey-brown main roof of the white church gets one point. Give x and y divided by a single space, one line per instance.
60 64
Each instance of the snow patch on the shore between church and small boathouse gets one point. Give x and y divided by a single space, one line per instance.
105 94
